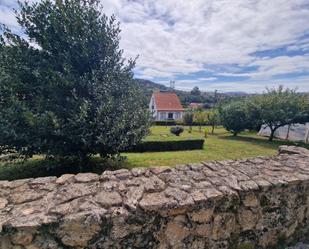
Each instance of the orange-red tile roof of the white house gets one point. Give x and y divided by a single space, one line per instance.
167 102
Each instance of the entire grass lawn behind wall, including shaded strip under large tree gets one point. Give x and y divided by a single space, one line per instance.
219 146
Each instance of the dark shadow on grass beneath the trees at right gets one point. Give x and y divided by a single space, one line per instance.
262 141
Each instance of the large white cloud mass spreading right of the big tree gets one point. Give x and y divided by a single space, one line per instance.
183 37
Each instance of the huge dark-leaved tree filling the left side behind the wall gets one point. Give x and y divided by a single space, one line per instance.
68 90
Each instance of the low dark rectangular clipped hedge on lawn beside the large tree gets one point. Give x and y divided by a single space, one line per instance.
152 146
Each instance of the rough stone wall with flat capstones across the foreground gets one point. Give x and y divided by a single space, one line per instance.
244 204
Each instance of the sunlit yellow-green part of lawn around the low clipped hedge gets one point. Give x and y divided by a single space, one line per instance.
218 146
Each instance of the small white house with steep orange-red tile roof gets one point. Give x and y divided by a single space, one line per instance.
165 106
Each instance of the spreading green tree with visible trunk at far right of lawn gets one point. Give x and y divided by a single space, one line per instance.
279 107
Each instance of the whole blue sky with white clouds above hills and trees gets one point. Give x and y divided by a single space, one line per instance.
228 45
